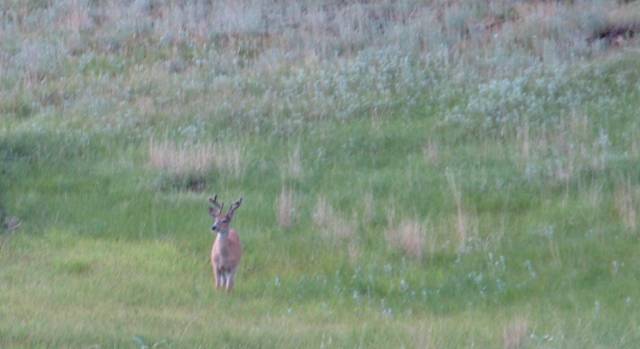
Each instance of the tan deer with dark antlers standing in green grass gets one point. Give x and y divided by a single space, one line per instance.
227 249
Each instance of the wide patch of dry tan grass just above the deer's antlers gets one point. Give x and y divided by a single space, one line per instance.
195 159
